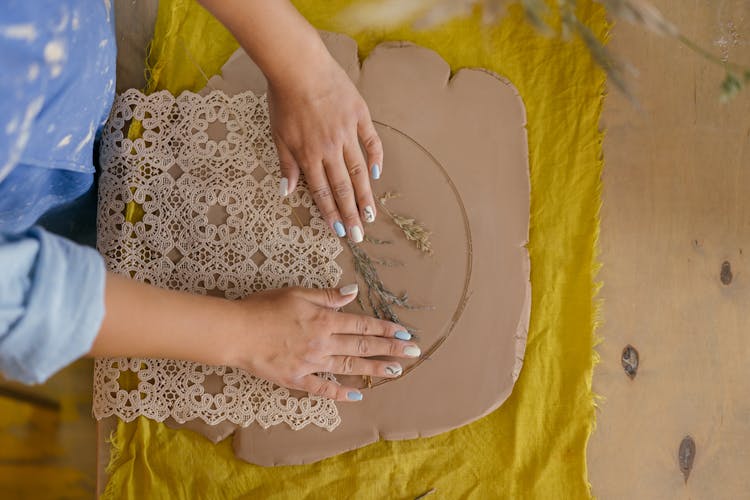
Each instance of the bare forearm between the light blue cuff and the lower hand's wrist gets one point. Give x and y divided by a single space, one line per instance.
146 321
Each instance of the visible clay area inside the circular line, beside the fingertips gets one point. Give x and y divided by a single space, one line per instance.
435 283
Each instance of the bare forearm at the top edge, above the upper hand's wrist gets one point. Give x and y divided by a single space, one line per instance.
273 33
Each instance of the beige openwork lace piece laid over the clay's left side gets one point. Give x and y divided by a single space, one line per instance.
200 189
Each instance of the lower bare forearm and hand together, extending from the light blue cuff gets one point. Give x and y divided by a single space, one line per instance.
285 336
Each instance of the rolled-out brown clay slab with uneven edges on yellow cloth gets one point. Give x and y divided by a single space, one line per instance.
456 150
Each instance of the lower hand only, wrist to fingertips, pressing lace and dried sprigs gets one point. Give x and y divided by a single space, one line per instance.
292 334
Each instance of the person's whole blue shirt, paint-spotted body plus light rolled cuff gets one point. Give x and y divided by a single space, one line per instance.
56 88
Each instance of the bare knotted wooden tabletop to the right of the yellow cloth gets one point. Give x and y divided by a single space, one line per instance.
675 230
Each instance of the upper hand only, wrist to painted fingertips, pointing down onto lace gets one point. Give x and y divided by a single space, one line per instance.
318 122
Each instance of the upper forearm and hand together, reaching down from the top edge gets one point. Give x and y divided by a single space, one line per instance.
317 115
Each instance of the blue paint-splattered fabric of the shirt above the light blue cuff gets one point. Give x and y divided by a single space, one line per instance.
56 88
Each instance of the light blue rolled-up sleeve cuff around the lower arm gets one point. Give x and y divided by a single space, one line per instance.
51 303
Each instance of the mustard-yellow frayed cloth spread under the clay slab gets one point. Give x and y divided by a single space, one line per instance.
534 445
